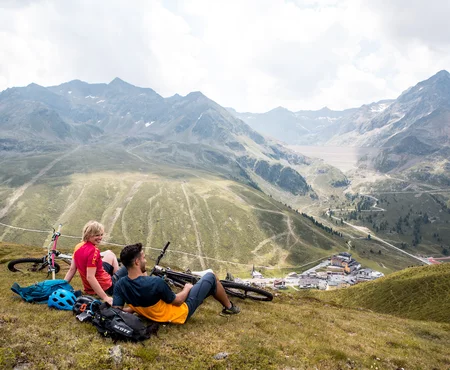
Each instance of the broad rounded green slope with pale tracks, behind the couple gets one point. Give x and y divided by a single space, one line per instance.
202 214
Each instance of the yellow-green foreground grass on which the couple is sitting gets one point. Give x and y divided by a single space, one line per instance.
289 333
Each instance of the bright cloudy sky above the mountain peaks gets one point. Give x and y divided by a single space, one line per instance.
252 55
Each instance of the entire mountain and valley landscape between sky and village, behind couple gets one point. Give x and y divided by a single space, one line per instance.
228 189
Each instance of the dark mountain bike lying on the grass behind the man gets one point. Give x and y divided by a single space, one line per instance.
232 288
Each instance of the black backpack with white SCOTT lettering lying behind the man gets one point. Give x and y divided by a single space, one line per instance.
119 325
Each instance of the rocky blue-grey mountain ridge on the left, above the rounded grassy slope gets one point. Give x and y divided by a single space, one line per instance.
191 130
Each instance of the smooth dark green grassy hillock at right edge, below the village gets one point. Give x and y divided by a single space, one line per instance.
419 293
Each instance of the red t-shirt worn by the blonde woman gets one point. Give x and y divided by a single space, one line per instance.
87 255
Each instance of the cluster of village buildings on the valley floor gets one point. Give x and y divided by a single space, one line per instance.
338 271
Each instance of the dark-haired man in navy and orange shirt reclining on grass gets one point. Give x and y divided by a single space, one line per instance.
151 297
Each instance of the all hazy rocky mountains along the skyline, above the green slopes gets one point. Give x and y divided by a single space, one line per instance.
411 132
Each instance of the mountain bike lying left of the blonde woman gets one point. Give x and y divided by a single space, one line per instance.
47 263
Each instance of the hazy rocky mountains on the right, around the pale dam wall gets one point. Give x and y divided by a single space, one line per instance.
411 132
